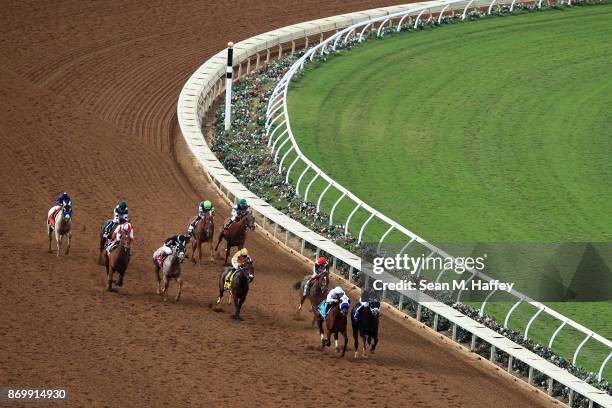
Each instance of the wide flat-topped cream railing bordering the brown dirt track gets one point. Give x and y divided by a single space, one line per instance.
195 102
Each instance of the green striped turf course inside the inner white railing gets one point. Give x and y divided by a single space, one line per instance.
494 131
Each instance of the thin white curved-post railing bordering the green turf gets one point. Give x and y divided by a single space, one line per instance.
278 129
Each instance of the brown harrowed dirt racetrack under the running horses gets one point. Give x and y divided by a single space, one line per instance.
88 95
